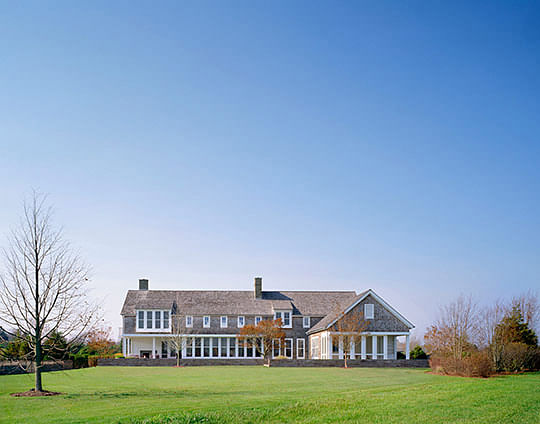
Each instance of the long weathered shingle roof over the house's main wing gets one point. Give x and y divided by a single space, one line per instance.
199 302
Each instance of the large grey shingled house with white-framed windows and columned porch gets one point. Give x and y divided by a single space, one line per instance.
209 322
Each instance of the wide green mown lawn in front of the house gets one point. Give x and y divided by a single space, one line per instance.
277 395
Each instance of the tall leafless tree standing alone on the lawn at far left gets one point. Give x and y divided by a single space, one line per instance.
42 284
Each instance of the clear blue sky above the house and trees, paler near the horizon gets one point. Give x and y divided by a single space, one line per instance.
320 145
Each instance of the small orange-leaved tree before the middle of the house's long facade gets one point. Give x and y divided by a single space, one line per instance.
267 331
